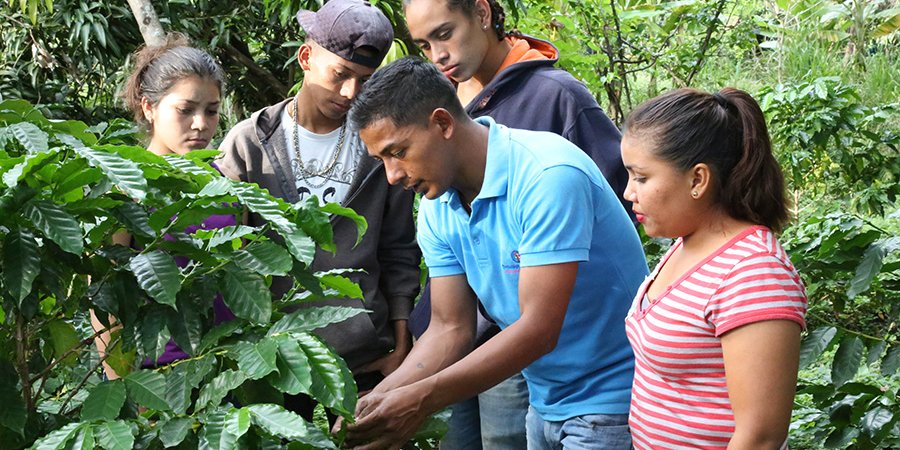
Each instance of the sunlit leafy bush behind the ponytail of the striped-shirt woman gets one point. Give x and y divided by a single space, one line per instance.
828 138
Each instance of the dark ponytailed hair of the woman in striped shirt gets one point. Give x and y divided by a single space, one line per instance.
727 131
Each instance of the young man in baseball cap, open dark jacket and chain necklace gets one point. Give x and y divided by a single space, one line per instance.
303 147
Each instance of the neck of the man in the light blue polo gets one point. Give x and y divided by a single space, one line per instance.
472 149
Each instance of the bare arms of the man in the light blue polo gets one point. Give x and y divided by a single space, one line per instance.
389 419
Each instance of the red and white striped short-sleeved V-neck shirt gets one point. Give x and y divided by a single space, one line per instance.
679 398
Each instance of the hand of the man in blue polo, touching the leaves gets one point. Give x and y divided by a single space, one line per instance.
387 420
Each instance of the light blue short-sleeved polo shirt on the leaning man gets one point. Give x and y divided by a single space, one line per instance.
543 201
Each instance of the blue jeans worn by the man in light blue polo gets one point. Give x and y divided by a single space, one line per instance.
587 432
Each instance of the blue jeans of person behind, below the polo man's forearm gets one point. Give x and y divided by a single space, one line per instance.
493 420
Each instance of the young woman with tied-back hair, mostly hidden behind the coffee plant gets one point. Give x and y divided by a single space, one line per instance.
174 93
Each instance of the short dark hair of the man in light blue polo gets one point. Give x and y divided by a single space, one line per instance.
405 91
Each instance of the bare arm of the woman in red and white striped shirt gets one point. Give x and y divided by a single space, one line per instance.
761 363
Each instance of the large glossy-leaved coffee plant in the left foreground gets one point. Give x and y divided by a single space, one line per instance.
62 199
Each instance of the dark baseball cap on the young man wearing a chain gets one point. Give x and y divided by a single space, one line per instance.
344 26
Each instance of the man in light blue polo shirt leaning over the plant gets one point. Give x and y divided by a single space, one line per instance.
524 221
